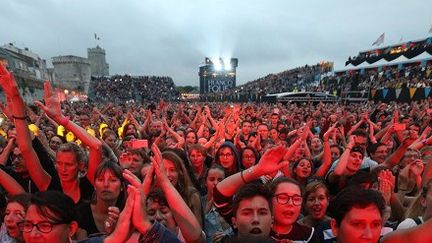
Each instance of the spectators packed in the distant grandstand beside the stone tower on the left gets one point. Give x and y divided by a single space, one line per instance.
125 88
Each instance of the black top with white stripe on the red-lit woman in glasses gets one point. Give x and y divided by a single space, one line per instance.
299 233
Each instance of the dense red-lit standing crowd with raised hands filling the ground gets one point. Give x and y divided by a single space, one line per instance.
213 172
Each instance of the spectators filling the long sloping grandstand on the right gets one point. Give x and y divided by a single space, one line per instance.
317 79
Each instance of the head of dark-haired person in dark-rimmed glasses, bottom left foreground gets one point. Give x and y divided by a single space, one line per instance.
51 217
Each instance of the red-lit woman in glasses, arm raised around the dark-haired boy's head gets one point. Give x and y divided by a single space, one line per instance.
285 193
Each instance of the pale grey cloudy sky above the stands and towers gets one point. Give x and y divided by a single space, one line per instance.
172 37
